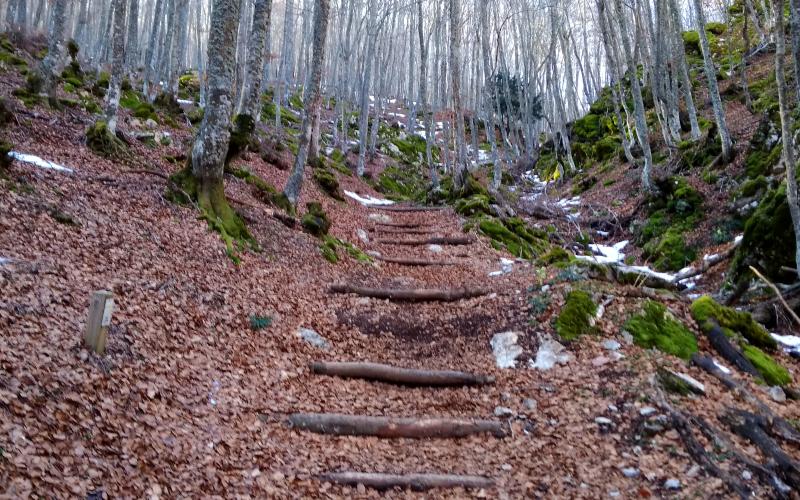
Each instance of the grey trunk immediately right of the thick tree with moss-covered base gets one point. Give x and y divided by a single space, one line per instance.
250 102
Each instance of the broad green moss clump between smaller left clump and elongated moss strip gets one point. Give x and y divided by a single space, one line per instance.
657 328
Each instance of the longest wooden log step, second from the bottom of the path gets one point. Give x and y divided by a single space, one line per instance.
390 428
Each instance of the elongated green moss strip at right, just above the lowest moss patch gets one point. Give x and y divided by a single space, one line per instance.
709 313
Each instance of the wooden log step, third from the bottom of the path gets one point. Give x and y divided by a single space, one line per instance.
402 376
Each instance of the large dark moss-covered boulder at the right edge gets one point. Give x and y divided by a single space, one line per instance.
768 242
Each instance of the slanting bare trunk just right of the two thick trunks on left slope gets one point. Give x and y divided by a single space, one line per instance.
313 99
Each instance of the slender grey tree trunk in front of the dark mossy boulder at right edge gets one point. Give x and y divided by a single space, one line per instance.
786 128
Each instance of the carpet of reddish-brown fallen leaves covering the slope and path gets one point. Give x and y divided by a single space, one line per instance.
190 400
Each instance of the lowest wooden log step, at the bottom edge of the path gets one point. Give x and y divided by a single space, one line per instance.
418 482
